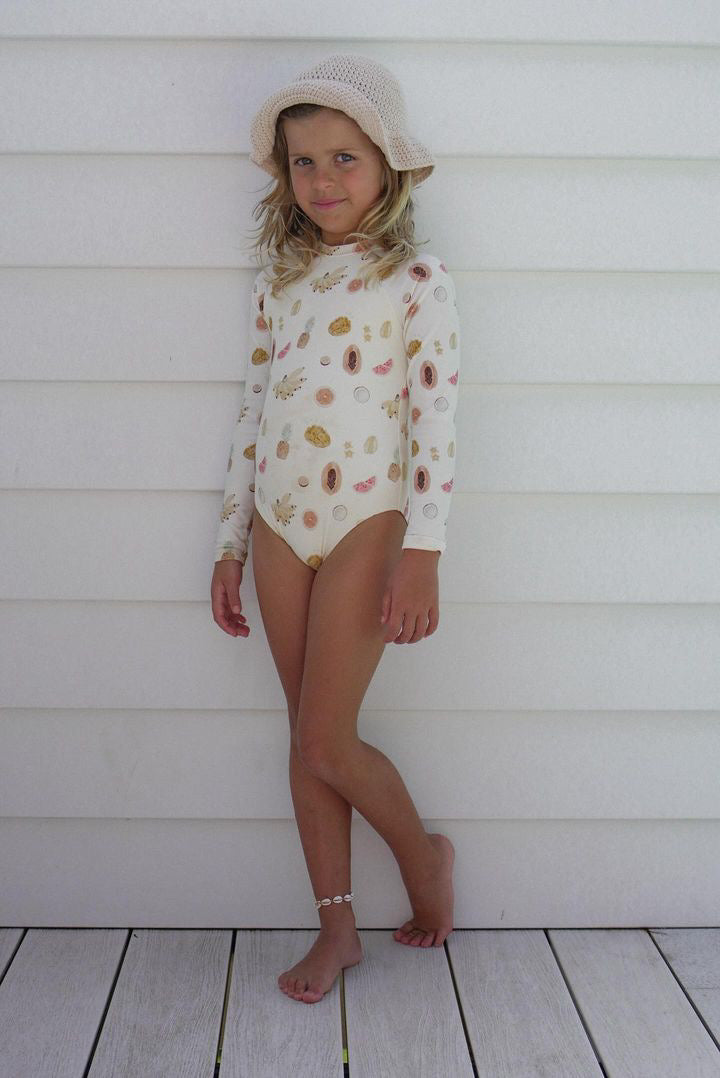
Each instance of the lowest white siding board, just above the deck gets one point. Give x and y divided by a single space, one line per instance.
205 875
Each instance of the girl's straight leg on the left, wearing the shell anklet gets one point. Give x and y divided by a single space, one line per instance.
284 586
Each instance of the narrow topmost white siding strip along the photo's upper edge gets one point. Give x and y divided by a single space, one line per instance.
662 22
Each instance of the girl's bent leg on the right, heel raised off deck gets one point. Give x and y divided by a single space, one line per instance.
344 645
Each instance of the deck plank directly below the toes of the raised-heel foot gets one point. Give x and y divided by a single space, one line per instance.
401 1013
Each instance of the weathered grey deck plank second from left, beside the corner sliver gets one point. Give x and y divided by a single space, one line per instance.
52 1000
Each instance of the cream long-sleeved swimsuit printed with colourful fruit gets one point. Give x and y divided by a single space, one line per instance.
362 418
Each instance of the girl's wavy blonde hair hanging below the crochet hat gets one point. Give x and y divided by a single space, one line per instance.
292 240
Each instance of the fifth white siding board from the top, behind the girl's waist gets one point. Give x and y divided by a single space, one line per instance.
588 439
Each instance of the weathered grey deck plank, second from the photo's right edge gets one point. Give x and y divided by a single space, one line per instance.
636 1013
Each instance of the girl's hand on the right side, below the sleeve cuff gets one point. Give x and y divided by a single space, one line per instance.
411 601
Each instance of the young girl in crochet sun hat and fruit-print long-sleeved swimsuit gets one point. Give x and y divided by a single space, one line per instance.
342 465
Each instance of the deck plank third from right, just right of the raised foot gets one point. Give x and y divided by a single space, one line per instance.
521 1018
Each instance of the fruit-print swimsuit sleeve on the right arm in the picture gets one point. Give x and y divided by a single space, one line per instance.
433 341
